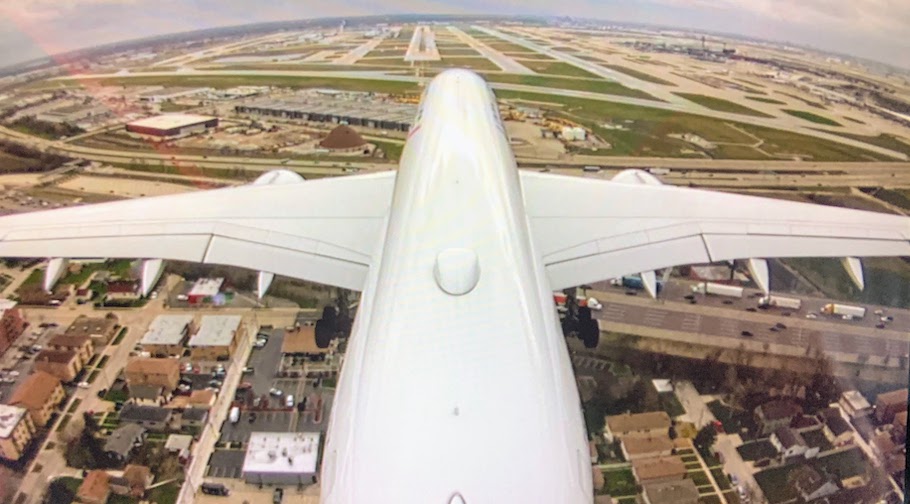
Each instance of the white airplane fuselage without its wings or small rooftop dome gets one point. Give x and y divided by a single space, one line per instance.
470 395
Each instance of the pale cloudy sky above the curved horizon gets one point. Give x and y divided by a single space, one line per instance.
874 29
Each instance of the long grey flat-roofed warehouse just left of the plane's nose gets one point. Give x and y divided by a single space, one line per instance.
371 114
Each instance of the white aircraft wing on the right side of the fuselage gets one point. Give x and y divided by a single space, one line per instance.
590 230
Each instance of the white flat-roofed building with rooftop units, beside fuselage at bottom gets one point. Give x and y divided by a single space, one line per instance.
281 458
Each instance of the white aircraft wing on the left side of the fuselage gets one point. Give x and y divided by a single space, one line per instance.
324 230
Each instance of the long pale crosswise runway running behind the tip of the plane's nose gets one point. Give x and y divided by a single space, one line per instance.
686 107
